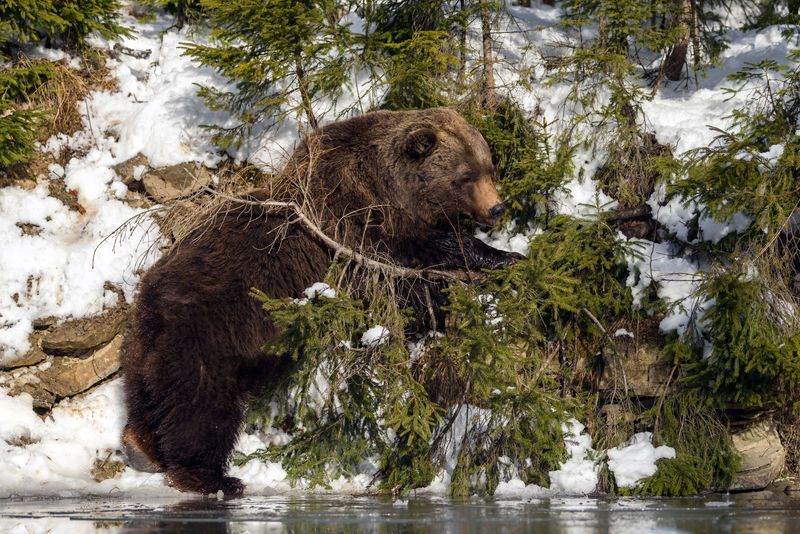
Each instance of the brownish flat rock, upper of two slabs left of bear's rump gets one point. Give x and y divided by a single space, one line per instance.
80 335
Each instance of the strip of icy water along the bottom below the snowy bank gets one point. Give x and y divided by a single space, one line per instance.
763 512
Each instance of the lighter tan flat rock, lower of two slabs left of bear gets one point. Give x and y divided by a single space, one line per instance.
69 376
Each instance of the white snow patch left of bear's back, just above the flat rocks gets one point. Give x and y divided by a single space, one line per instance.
62 270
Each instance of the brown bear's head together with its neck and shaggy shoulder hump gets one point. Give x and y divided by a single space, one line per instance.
428 166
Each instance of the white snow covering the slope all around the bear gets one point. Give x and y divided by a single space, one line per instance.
64 270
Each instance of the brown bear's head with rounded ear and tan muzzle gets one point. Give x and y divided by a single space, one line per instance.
448 165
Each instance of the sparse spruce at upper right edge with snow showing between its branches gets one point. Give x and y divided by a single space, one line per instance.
753 167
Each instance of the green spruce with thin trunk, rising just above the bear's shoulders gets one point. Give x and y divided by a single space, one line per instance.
283 56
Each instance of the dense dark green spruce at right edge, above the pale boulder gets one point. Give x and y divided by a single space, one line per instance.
744 349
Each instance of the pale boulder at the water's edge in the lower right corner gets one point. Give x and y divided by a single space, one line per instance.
762 454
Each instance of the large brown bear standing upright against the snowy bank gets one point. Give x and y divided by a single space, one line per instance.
389 185
